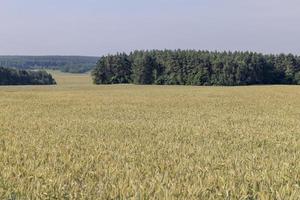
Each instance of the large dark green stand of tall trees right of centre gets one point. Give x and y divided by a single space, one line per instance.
190 67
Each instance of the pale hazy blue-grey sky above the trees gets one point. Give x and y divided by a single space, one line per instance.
98 27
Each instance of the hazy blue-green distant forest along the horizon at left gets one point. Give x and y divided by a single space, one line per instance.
72 64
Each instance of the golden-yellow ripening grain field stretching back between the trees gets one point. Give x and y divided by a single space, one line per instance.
80 141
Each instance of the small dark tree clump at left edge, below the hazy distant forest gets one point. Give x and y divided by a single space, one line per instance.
9 76
